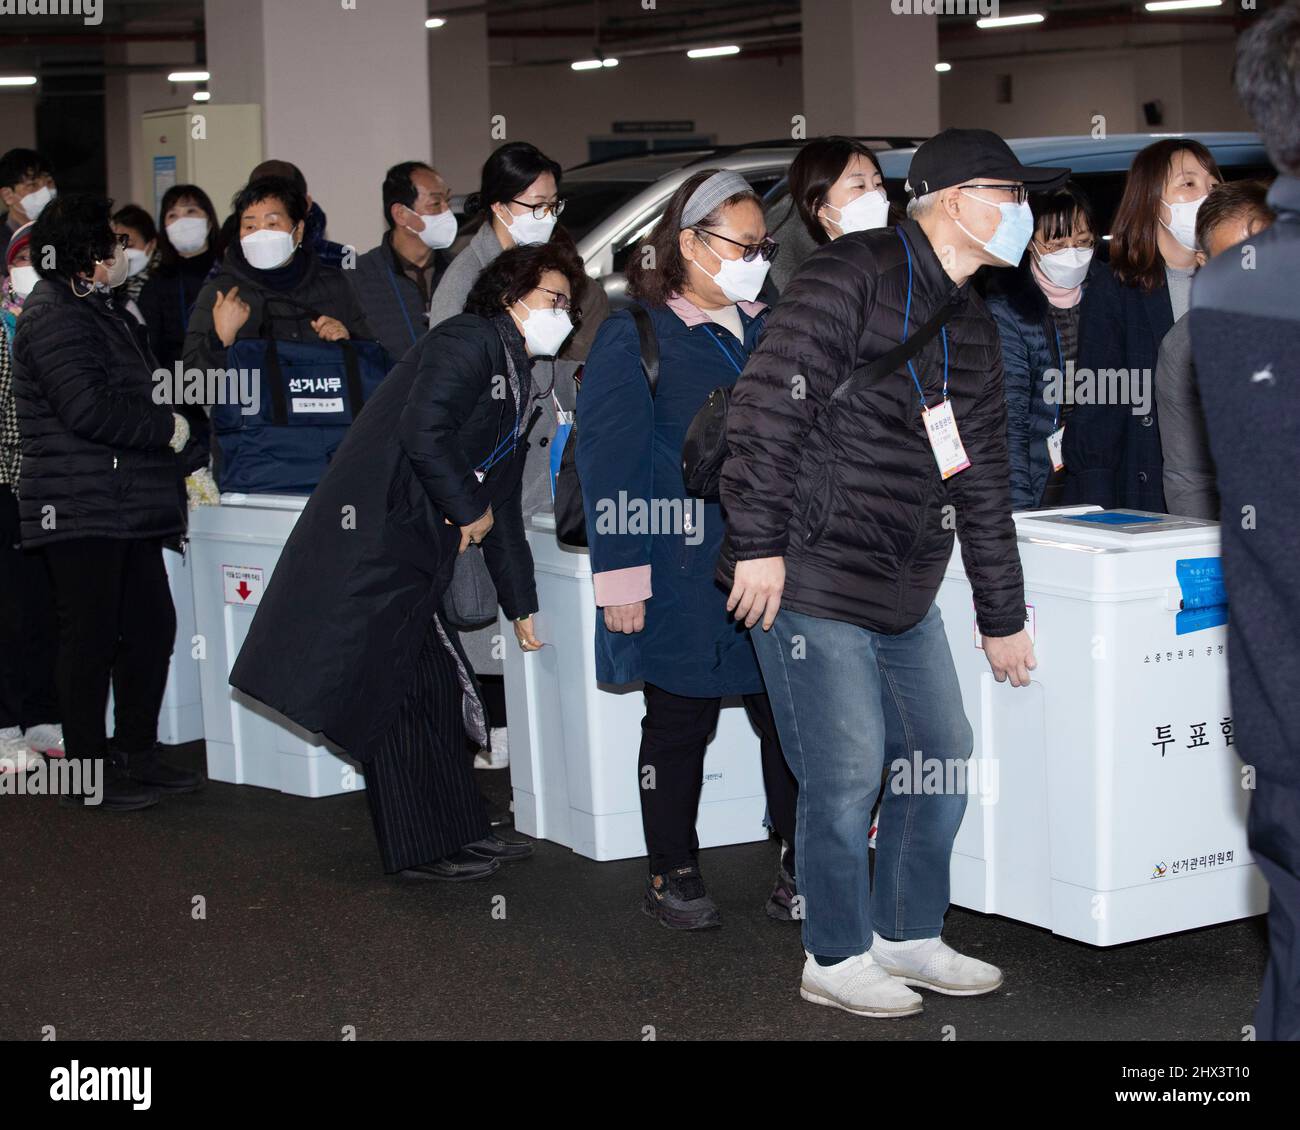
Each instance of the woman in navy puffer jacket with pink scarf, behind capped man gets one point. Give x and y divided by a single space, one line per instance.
1037 309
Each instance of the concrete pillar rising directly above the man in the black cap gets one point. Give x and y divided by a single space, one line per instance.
868 70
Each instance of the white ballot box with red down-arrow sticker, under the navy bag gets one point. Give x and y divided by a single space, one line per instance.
233 553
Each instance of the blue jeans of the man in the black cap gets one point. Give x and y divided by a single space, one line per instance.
848 703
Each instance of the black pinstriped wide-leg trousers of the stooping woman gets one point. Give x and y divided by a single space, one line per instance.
419 778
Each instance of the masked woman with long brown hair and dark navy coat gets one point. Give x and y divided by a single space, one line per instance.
1112 452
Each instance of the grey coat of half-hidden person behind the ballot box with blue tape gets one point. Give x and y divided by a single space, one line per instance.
1190 488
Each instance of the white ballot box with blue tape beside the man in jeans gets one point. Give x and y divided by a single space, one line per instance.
1107 799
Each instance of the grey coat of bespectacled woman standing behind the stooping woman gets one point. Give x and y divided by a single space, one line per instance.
549 376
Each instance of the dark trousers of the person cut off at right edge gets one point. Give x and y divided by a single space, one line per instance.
1273 832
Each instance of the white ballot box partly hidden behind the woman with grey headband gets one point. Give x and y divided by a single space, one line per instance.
574 744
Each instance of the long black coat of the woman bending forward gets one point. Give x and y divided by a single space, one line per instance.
335 639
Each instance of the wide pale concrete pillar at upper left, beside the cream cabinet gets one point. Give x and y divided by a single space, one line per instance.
344 86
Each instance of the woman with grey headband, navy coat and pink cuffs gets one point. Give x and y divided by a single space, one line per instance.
664 620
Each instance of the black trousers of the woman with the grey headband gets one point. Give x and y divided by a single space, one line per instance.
674 738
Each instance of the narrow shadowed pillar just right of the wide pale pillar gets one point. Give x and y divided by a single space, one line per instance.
461 101
